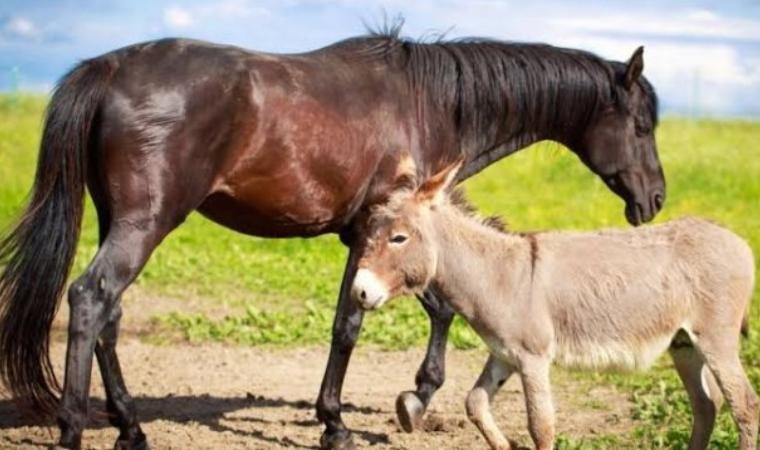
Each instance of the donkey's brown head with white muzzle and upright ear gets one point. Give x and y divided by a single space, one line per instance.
399 253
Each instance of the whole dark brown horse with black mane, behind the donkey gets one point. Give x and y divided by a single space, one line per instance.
280 146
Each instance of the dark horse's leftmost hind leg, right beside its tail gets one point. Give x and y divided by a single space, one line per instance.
93 300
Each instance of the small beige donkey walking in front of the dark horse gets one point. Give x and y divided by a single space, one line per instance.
594 300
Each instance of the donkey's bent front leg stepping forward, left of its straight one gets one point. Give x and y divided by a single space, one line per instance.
495 373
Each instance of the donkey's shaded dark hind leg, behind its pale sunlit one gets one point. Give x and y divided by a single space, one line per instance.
704 393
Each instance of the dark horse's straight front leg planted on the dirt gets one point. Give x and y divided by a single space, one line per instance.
346 327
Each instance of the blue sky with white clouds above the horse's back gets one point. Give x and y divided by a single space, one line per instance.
702 56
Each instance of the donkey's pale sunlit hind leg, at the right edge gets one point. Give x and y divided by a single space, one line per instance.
721 354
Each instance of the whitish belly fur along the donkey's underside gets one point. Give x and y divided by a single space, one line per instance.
611 355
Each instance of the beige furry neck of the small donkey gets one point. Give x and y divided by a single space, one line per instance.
474 262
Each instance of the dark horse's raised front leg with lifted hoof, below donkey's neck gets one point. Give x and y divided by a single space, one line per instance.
411 405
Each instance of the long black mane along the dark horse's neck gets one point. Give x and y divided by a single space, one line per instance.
492 87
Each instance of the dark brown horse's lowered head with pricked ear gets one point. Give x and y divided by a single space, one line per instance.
619 144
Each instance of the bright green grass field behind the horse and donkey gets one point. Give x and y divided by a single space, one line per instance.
283 292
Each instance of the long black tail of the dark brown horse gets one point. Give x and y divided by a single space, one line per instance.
38 252
